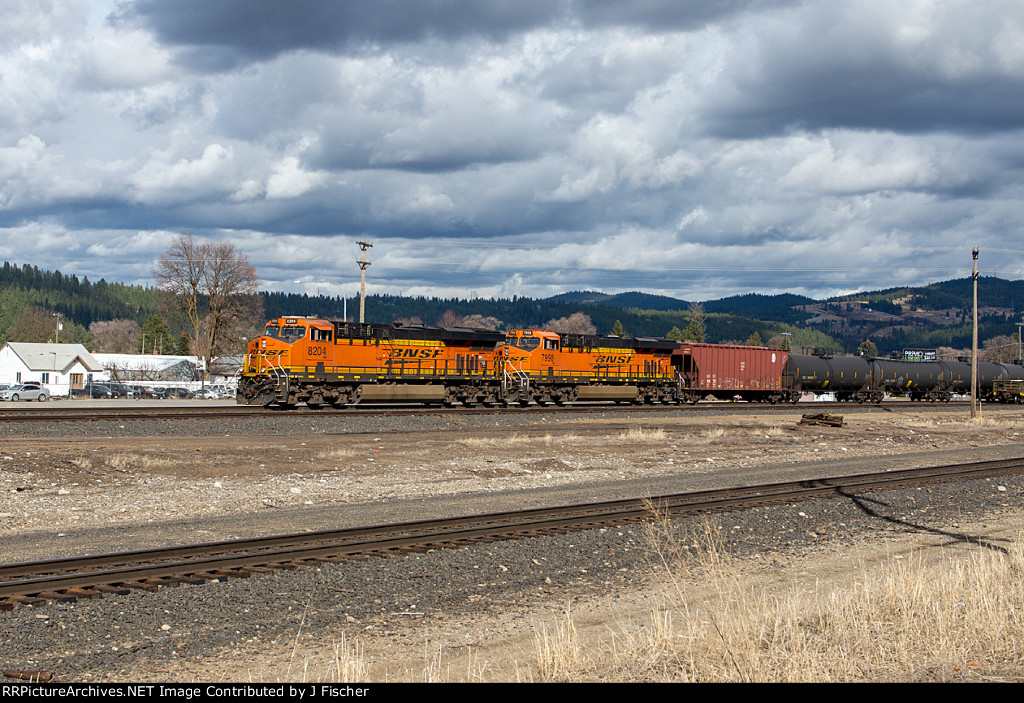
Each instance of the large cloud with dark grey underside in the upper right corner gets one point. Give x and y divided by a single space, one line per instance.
871 67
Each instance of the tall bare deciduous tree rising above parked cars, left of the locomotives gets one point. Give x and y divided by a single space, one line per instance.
217 288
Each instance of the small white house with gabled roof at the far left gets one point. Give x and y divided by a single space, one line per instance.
58 367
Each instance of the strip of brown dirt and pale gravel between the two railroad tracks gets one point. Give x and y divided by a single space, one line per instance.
90 482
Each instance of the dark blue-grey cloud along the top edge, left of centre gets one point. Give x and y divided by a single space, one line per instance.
221 35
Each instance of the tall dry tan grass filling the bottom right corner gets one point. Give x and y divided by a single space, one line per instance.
958 619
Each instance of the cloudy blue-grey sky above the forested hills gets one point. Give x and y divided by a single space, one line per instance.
499 148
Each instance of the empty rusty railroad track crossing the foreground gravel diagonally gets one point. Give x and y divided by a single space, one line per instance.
93 577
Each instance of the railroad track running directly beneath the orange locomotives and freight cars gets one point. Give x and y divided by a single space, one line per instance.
34 415
